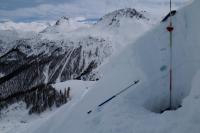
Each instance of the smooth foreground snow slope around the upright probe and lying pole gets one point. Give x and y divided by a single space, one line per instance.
135 110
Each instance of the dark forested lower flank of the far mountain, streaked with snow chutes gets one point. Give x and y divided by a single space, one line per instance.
57 61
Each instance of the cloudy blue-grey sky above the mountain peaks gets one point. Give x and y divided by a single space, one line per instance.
30 10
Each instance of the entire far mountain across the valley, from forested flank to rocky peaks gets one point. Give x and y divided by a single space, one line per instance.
66 55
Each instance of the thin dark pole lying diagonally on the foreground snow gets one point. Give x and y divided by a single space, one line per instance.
109 99
